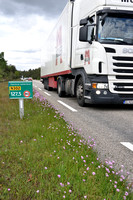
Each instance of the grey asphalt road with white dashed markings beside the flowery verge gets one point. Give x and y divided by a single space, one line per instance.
111 126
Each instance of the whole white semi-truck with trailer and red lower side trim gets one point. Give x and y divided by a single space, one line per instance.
89 53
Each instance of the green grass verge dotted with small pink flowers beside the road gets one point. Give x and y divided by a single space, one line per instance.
44 158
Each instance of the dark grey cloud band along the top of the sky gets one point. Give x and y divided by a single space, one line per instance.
49 8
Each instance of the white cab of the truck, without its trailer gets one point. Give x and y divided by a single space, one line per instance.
105 47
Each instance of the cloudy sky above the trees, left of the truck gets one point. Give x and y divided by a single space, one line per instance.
24 27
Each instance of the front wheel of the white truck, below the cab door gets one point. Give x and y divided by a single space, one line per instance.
80 92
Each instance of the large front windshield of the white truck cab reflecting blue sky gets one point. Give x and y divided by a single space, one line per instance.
115 29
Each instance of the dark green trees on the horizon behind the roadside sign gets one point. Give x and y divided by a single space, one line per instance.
9 72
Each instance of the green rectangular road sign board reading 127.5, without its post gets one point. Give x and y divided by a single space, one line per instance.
20 89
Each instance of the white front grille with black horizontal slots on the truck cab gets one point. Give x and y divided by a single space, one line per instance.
122 68
